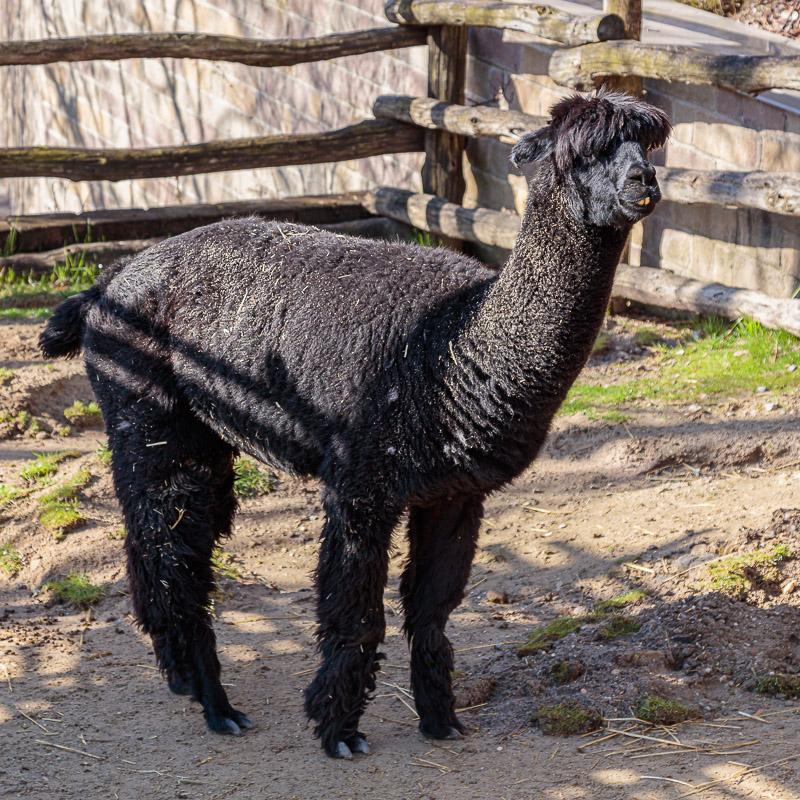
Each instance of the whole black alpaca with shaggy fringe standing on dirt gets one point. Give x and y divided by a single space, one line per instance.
403 377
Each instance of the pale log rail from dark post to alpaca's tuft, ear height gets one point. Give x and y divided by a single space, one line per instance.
494 123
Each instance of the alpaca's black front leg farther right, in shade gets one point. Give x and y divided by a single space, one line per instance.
442 540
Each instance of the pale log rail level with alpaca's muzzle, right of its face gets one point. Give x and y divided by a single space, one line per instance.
778 192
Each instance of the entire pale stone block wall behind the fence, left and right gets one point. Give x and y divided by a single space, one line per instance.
150 102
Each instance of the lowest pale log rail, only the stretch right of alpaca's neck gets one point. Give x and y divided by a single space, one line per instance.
660 287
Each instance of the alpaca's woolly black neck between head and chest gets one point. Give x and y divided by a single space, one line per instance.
540 319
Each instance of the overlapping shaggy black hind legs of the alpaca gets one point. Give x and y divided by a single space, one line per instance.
174 479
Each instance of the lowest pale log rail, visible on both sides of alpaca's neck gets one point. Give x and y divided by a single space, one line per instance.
657 287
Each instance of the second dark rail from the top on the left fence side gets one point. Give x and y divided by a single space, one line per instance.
365 139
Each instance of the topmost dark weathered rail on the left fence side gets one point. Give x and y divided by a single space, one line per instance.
209 47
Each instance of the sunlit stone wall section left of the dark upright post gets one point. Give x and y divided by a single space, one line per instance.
149 102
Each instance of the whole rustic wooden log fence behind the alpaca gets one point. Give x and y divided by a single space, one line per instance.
596 48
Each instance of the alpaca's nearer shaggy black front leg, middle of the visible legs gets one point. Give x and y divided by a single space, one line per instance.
350 580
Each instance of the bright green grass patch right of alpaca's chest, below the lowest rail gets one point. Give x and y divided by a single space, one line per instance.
707 368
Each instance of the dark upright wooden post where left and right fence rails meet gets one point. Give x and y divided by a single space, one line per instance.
443 173
